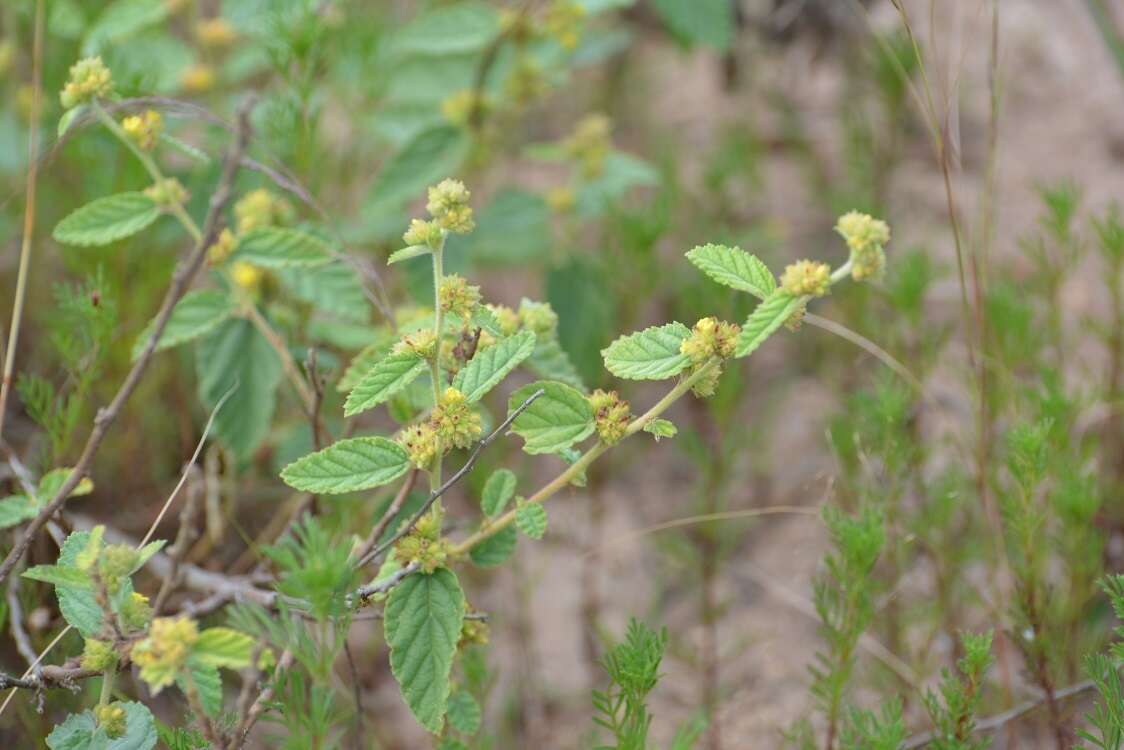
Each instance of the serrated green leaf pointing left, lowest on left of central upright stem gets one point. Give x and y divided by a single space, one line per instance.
348 466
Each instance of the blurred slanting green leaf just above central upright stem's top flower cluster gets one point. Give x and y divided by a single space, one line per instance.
432 156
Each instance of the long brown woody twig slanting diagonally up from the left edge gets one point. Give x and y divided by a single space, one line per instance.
182 281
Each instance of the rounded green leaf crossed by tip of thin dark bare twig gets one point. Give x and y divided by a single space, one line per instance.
555 421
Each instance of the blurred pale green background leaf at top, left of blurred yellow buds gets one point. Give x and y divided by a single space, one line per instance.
458 29
